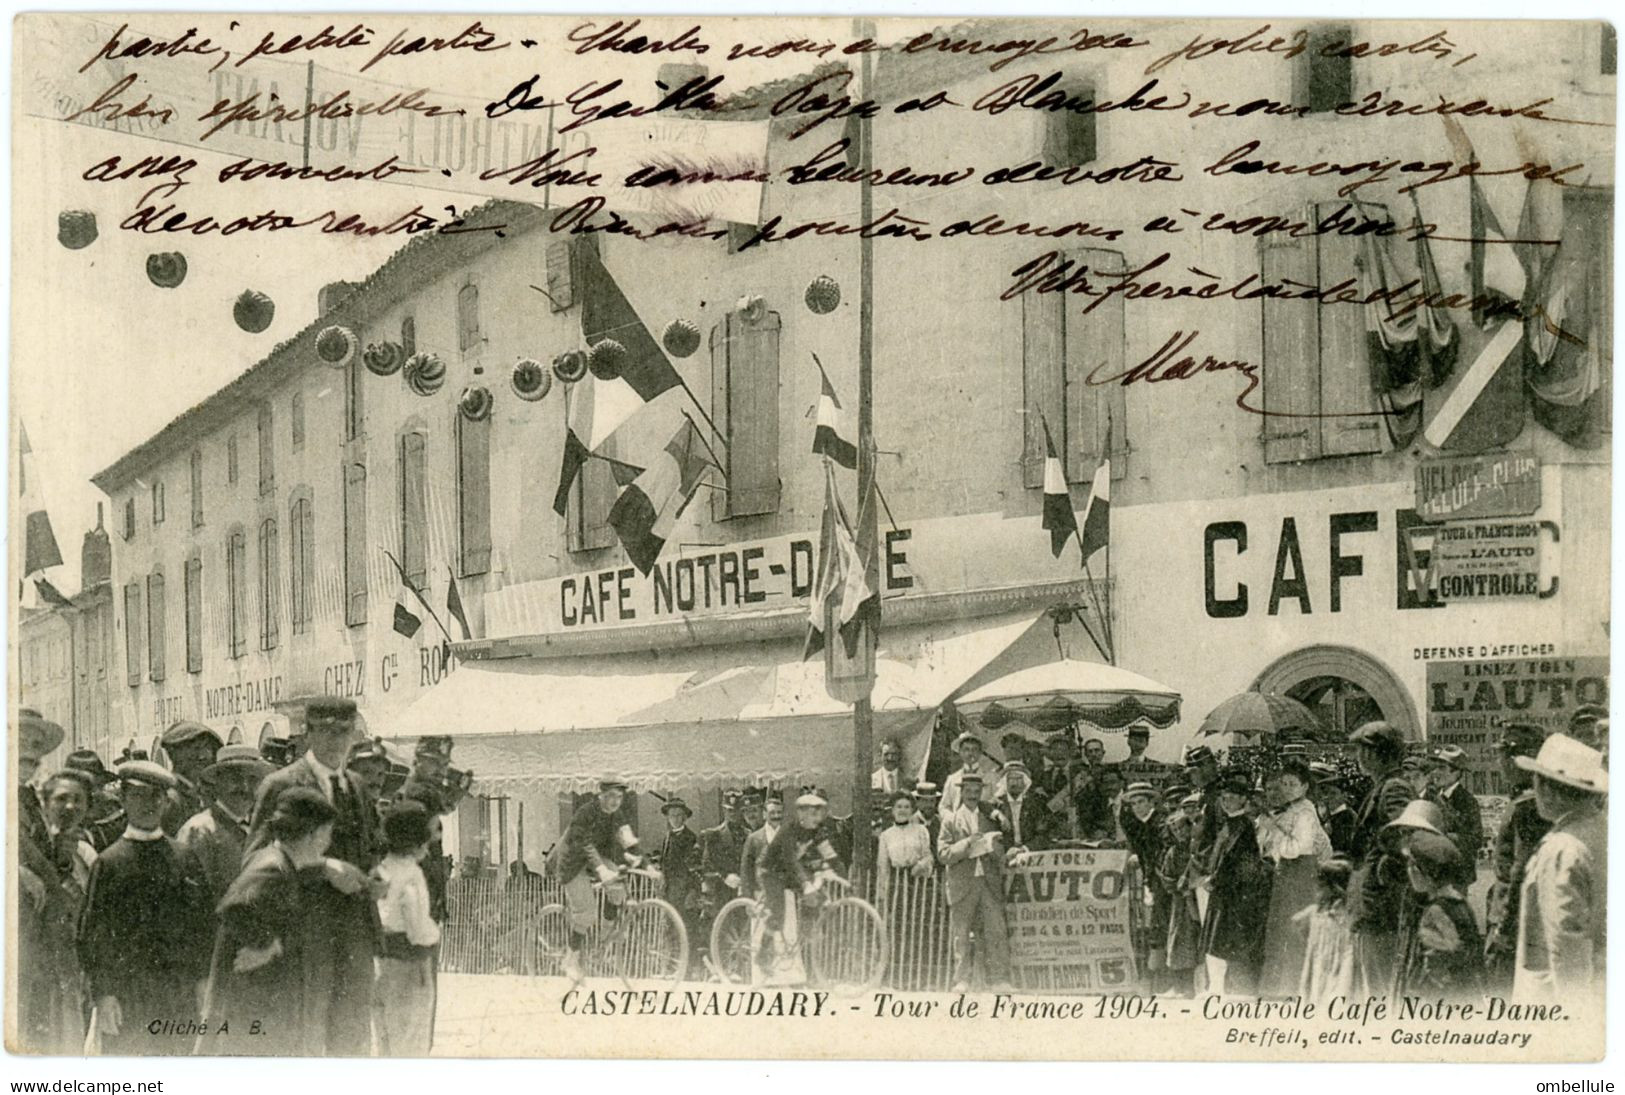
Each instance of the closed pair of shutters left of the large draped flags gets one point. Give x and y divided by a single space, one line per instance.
1317 379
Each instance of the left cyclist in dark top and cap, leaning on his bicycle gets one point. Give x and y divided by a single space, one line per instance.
594 849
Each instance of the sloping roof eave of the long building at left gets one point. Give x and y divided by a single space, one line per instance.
383 288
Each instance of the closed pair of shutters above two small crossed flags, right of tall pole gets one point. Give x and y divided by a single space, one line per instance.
1062 347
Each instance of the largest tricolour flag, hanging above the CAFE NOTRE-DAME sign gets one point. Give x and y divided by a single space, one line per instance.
599 409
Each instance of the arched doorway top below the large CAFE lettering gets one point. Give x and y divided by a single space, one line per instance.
1345 688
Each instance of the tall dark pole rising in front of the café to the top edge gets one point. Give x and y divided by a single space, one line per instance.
864 712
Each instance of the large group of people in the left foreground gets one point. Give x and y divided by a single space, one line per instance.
228 906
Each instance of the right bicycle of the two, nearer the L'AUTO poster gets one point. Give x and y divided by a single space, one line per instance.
844 948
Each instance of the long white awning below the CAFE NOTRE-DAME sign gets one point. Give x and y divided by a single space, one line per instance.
696 717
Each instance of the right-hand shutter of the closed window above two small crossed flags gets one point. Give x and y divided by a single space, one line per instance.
1094 340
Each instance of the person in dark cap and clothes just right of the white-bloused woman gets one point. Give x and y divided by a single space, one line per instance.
1379 886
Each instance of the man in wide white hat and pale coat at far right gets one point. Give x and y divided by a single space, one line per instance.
1562 925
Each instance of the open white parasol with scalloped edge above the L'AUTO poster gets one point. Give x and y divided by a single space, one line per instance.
1060 693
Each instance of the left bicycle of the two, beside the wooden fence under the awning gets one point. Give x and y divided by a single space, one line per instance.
648 941
